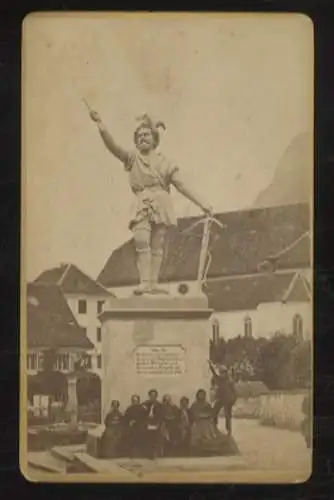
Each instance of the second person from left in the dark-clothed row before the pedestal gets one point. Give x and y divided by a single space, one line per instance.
134 427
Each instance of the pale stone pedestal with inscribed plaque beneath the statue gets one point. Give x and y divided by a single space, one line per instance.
155 342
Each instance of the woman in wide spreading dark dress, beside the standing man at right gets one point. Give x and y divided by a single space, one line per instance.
205 438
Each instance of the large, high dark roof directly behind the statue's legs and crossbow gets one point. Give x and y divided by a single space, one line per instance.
250 236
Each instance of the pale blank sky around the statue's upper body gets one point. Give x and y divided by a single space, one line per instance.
234 90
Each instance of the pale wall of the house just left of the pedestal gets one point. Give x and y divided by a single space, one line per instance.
89 320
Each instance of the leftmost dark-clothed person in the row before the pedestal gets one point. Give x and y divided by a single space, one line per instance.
113 431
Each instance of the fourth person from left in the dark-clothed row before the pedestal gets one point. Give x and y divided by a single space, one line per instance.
170 427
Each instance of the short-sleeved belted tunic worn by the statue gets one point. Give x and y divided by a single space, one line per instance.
150 180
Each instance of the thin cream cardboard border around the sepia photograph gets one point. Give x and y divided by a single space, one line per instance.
242 476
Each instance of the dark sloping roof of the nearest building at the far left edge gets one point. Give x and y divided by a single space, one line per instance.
50 322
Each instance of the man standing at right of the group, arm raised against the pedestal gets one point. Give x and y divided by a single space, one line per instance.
226 395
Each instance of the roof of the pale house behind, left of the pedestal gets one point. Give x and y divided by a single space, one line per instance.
71 280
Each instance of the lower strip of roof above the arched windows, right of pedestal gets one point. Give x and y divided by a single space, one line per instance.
246 293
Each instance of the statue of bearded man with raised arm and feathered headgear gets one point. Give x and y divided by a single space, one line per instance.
151 176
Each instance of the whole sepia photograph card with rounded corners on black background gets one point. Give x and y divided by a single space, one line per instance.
167 238
